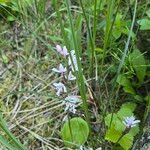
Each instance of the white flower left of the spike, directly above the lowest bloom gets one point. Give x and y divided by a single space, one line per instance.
60 87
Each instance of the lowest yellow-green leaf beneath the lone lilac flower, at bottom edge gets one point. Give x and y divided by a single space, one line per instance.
126 141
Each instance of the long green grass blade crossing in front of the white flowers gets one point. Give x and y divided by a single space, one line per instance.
80 80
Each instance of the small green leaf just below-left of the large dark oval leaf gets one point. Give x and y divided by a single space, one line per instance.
125 82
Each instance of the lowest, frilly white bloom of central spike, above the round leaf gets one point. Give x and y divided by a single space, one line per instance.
71 103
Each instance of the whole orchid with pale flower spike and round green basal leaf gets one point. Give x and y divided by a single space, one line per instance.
75 130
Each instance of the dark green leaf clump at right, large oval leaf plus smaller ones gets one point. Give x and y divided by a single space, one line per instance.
137 68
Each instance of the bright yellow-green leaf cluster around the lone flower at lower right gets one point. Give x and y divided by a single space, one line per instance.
116 129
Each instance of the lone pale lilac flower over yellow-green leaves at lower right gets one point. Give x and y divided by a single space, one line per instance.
130 122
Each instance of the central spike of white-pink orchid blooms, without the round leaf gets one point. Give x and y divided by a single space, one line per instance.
70 101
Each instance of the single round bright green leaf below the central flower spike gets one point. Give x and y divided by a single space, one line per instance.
75 132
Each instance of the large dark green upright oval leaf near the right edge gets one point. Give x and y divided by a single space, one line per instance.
138 63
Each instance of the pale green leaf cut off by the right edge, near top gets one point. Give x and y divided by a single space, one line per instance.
144 24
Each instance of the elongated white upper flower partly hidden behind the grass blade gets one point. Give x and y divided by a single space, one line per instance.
73 61
